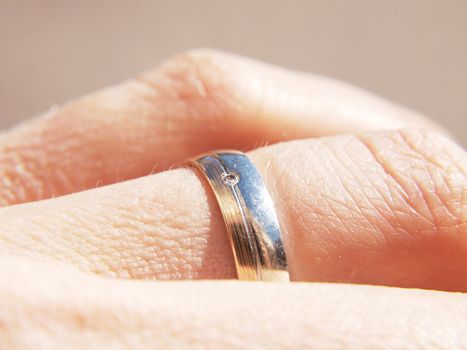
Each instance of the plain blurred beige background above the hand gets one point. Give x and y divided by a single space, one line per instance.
413 52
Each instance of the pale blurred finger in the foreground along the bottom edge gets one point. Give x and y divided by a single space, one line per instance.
52 309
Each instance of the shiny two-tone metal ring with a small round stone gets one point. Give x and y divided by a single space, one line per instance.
249 215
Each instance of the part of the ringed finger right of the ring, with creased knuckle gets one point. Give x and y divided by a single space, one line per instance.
401 193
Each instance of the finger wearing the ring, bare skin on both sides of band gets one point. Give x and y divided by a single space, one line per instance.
384 208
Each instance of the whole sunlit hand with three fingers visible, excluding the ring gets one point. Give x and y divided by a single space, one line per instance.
365 207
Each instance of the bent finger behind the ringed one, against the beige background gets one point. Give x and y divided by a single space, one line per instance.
195 102
